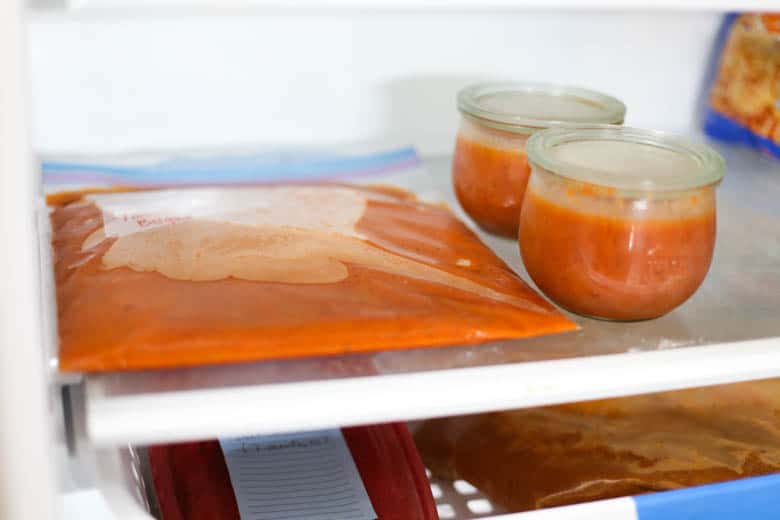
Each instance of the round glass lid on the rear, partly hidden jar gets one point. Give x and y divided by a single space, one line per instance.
527 107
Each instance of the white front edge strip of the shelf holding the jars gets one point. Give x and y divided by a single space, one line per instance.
172 416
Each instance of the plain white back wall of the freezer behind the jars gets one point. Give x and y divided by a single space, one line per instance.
113 81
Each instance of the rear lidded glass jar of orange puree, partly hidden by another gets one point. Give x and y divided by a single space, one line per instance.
490 169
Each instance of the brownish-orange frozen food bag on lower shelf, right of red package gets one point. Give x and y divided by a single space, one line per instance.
559 455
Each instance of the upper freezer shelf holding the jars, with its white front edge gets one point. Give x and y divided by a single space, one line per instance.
728 332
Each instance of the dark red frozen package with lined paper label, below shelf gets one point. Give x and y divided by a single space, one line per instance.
360 473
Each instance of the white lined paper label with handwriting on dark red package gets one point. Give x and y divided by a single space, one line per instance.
300 476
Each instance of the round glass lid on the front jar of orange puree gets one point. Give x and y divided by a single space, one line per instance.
626 158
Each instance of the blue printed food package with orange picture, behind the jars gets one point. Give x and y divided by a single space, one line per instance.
743 105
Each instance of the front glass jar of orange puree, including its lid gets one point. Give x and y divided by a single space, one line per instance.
618 223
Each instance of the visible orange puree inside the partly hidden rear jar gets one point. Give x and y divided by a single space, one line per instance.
490 183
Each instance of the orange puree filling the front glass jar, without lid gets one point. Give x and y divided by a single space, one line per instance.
615 267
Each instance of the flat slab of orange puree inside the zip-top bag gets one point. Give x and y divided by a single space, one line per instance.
409 275
